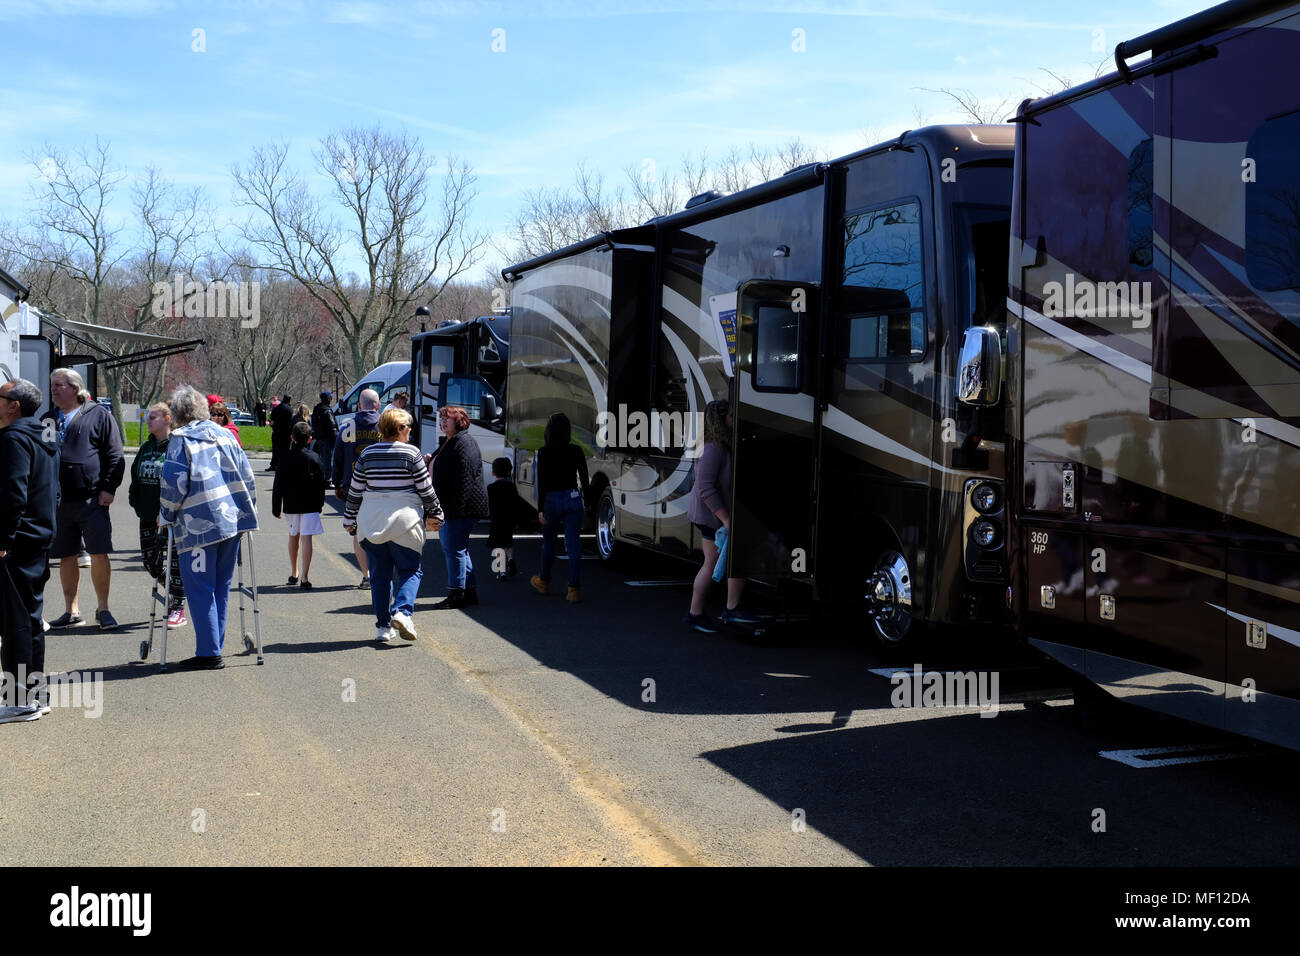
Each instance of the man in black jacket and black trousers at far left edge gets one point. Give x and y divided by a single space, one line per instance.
29 494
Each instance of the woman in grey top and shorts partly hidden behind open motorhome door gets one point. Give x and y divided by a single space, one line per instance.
710 511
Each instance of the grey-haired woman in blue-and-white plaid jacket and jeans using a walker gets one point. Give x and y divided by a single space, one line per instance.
210 499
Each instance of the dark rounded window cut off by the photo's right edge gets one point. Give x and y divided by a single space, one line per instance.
1273 206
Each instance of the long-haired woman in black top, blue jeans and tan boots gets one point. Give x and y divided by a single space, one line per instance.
561 474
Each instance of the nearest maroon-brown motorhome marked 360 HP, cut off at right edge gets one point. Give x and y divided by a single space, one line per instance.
1154 374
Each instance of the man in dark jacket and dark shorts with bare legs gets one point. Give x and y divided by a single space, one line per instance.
92 468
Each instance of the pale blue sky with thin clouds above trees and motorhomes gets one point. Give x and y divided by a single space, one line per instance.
608 85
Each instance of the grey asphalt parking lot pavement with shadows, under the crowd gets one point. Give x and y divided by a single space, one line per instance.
530 732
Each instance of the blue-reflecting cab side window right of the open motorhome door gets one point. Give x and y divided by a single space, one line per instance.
882 291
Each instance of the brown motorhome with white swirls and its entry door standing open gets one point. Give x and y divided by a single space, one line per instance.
846 288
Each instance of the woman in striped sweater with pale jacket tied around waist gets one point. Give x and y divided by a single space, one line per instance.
391 507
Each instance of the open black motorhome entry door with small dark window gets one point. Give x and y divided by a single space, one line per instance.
774 434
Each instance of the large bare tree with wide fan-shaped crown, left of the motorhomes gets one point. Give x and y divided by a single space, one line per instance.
382 185
